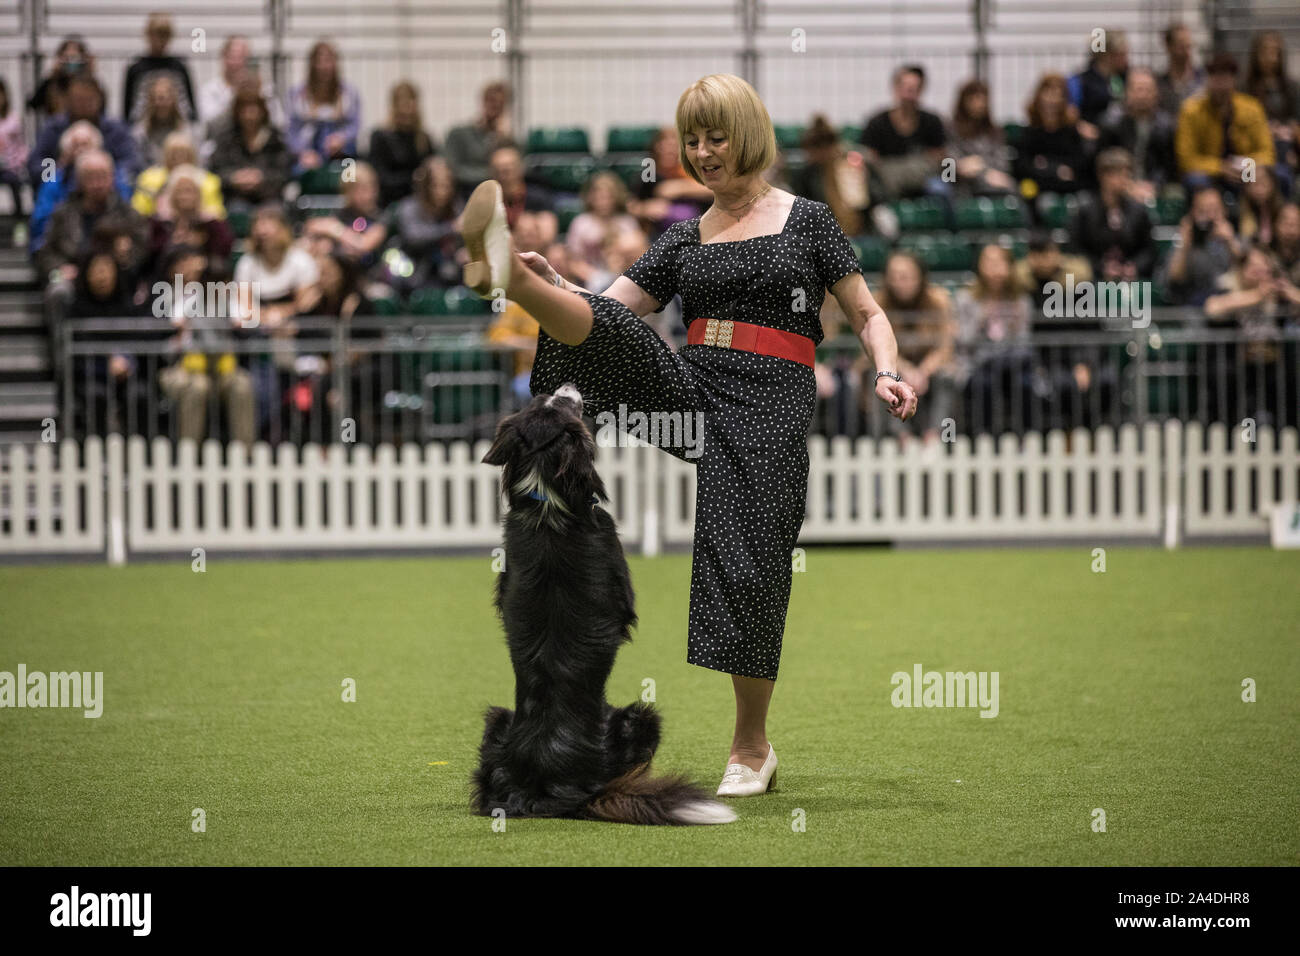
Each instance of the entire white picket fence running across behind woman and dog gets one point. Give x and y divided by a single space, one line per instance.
124 498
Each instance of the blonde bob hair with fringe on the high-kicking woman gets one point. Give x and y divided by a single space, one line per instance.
726 102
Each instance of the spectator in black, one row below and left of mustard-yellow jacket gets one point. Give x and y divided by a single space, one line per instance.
1112 228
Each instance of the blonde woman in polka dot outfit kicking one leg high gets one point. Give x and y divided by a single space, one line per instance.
752 272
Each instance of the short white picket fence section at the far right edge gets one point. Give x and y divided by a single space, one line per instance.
1232 485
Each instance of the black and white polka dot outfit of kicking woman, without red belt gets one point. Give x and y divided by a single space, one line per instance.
752 474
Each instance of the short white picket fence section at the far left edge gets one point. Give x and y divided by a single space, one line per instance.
51 501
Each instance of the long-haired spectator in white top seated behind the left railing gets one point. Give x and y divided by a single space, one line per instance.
275 279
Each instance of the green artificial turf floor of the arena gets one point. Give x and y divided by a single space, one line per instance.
1120 691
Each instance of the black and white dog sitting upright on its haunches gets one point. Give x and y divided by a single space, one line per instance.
566 602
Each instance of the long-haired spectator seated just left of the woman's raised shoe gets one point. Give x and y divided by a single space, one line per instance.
424 246
